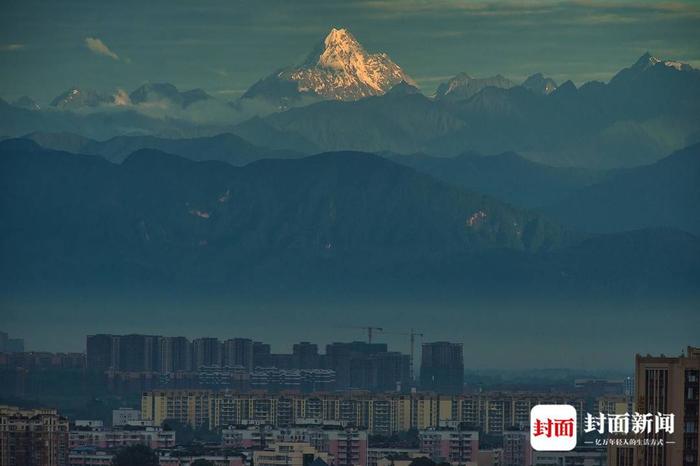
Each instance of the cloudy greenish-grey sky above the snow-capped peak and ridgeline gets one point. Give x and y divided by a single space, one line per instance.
225 46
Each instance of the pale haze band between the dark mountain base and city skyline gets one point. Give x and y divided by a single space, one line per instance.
507 332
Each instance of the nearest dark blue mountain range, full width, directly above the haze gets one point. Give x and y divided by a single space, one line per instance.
329 220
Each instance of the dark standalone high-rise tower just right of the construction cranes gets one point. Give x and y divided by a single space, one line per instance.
442 367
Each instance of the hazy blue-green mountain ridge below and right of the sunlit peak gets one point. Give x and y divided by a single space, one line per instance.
637 118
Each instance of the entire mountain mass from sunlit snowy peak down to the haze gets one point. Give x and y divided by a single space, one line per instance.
352 177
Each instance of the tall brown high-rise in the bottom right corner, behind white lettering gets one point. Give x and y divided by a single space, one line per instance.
670 385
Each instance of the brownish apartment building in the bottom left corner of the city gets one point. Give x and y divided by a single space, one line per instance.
33 437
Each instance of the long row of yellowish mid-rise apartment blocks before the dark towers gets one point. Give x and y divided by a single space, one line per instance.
379 413
